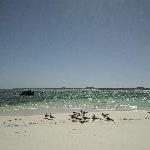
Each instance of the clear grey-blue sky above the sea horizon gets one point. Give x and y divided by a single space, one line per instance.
74 43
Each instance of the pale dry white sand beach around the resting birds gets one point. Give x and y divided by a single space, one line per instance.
130 131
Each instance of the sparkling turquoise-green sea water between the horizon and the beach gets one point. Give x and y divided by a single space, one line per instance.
97 99
